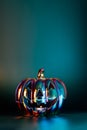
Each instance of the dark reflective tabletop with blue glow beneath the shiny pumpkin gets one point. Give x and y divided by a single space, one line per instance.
61 122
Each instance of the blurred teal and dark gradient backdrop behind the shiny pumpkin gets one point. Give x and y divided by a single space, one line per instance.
43 33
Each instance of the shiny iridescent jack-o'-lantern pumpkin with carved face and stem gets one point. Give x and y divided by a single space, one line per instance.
40 95
